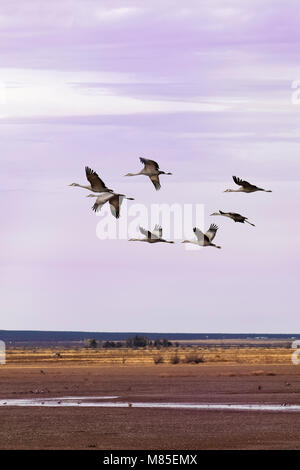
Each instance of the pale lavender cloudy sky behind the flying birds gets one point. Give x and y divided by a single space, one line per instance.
202 87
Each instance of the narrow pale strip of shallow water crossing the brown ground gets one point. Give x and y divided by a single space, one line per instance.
93 402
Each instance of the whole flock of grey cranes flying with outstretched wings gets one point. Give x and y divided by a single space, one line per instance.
151 169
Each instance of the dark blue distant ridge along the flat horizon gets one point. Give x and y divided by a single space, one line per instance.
53 336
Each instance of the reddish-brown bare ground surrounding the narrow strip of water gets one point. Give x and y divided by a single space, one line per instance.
138 428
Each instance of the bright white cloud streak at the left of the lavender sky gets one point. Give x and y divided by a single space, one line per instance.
50 94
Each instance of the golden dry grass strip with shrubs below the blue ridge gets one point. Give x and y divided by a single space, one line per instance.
149 356
